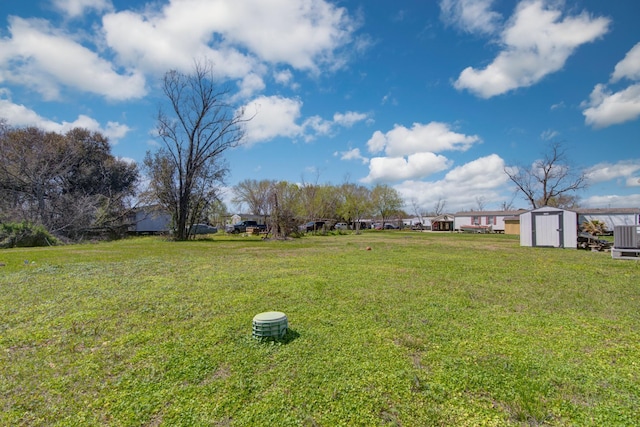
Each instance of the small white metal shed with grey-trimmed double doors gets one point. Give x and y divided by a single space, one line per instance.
549 227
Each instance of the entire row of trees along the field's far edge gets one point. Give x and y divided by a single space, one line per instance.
73 186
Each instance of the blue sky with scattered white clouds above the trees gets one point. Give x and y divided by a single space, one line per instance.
434 98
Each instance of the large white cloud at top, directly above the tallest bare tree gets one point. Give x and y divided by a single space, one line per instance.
236 35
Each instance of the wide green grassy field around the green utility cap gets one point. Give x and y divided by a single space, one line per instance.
424 329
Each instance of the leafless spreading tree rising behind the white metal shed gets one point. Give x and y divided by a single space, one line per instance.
550 180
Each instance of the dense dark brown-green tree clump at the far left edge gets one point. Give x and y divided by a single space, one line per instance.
69 183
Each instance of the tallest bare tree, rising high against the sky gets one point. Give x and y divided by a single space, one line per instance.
199 127
